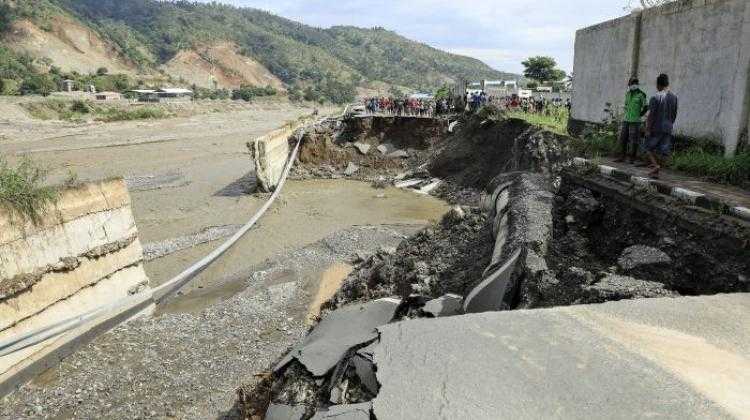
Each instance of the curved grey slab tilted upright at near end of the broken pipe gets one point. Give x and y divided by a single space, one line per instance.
490 293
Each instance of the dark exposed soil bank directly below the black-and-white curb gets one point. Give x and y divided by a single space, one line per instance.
600 236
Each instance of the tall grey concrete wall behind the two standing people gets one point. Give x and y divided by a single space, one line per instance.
704 46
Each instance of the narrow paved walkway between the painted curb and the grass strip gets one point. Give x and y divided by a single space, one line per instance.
727 193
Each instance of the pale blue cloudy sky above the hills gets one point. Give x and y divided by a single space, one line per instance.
502 33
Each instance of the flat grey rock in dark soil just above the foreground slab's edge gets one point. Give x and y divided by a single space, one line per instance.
615 287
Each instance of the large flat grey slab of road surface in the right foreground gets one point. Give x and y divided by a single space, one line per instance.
666 358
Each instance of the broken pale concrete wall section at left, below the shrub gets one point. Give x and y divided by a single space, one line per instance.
82 254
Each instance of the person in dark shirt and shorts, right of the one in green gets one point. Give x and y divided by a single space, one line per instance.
660 124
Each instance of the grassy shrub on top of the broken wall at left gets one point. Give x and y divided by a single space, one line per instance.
22 188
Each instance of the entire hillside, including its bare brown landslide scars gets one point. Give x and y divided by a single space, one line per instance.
215 45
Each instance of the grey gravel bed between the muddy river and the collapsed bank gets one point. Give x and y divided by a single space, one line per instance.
180 365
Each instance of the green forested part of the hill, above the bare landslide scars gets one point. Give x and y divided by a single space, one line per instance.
150 34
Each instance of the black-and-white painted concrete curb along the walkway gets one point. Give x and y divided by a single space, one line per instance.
684 195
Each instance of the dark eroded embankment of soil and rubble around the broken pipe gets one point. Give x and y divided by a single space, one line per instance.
545 236
